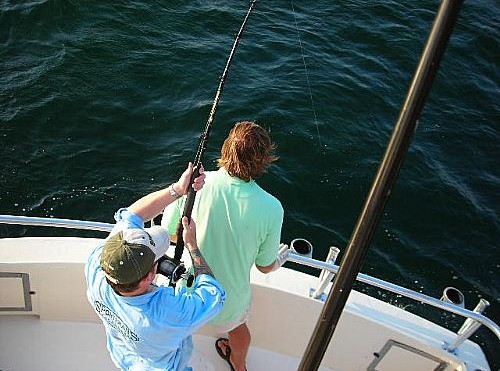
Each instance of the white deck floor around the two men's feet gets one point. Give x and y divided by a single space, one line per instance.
28 343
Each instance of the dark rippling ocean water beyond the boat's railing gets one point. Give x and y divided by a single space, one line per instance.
103 102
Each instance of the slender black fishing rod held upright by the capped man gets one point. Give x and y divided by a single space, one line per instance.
188 206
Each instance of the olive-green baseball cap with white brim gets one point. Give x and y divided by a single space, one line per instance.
128 255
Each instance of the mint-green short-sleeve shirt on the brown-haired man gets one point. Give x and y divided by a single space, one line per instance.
237 224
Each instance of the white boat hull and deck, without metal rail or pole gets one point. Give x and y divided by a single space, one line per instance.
61 331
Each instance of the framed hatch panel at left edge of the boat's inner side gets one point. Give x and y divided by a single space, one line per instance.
15 292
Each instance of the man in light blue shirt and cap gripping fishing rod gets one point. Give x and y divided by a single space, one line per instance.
149 327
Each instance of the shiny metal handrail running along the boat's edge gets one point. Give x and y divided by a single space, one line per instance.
293 257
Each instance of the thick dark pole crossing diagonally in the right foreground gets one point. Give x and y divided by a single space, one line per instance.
382 184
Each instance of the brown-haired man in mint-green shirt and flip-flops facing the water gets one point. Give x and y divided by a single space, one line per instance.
238 225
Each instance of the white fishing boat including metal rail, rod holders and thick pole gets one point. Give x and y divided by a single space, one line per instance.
46 322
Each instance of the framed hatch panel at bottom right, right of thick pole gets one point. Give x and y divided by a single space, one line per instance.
396 356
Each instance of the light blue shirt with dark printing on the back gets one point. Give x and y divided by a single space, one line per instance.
150 331
